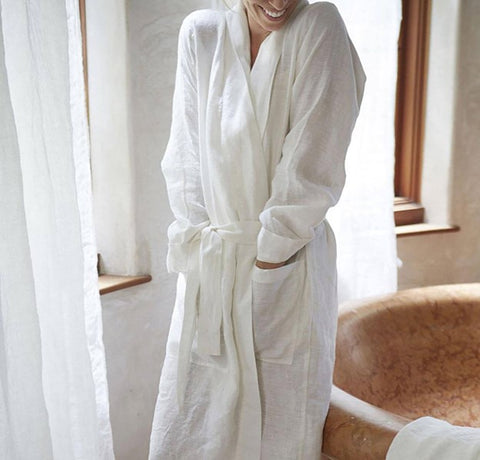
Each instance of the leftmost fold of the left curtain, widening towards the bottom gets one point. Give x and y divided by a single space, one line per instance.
22 410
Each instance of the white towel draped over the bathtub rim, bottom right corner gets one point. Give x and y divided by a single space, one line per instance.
428 438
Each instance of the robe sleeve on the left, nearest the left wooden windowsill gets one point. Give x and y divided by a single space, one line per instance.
181 165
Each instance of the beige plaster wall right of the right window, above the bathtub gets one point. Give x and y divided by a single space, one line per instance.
452 138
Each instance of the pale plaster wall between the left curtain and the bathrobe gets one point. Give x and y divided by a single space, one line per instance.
136 320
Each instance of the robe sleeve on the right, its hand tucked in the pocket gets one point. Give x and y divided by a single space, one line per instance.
325 101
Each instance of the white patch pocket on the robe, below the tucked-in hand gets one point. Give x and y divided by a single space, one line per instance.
276 300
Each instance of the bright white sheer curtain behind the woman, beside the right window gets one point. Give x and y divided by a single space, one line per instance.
363 218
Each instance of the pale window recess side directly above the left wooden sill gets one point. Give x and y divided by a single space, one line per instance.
110 119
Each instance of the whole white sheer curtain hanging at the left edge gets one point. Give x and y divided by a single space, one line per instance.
53 389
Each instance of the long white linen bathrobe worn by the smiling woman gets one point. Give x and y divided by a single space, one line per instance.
254 161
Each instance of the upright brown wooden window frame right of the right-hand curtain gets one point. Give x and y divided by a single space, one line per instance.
411 90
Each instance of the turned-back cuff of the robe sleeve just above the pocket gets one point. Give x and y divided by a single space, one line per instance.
274 248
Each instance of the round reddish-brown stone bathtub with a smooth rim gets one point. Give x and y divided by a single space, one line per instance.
400 357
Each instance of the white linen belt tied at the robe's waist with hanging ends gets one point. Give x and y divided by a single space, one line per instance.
210 279
